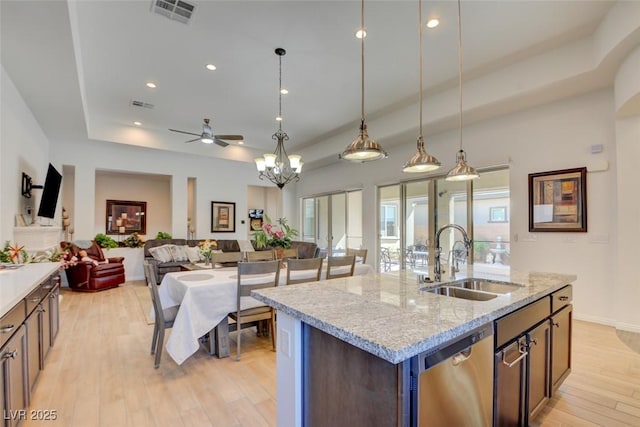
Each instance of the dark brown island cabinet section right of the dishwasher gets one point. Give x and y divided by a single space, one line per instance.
533 357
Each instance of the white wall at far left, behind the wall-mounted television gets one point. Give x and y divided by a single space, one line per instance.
23 148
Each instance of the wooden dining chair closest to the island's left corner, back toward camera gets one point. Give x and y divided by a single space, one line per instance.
254 275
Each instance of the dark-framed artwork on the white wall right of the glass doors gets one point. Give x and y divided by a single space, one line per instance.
558 200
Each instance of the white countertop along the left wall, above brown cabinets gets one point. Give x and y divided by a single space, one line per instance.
15 284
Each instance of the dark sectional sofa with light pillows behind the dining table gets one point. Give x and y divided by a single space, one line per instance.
162 266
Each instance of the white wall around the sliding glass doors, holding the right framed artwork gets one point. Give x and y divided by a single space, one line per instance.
556 136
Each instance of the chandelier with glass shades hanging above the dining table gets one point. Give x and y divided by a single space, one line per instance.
278 167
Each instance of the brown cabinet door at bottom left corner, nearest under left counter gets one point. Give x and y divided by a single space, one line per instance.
14 367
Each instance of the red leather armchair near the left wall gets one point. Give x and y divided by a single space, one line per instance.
86 276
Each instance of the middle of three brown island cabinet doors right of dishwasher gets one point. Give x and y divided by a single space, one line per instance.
539 350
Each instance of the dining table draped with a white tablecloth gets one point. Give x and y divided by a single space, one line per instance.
205 297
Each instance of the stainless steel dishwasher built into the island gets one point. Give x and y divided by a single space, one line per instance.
453 384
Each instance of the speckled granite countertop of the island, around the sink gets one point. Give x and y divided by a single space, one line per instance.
386 314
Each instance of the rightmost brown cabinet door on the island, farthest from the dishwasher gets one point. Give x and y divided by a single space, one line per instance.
560 346
